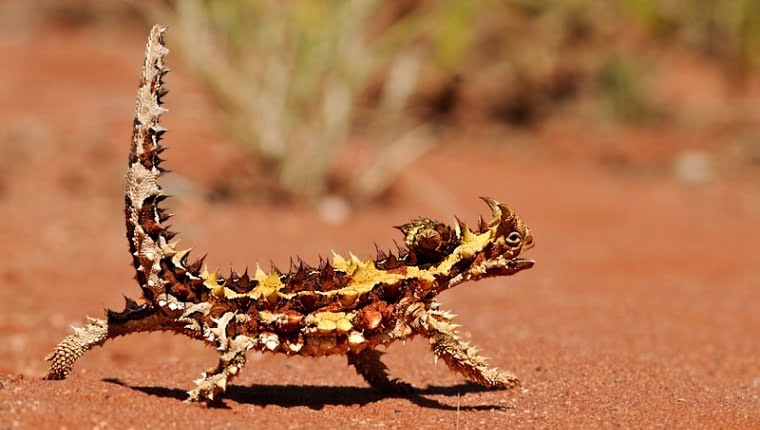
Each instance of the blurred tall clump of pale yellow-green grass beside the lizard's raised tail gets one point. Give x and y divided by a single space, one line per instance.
289 76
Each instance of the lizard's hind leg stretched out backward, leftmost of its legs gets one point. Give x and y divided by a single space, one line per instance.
134 318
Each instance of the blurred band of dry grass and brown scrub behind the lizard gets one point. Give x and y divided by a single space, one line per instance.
307 84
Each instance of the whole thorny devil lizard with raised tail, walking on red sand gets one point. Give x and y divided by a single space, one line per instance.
343 306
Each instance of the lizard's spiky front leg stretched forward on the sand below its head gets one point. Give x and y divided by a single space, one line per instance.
437 327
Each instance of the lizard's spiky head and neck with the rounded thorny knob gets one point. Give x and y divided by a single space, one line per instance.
459 254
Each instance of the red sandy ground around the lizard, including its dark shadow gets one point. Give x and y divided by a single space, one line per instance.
641 312
